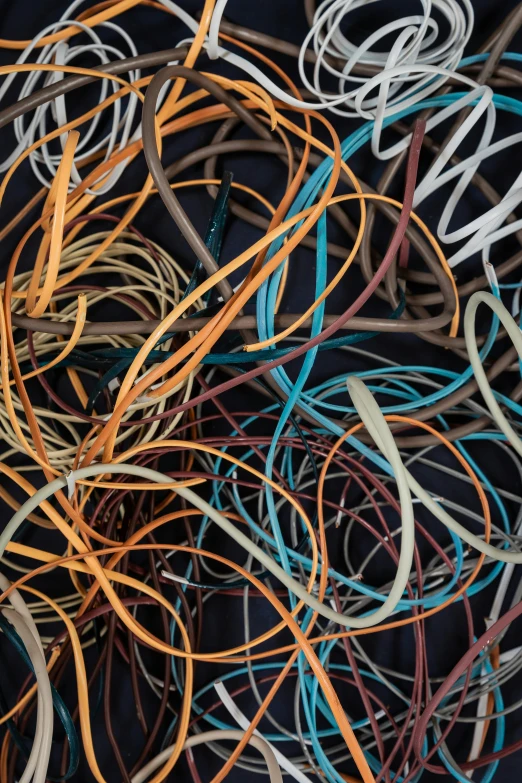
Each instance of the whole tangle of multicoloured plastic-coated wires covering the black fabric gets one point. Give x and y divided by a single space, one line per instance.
317 473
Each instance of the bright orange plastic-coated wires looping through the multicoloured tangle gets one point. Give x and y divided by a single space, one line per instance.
60 207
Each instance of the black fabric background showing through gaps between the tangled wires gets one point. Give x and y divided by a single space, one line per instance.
446 634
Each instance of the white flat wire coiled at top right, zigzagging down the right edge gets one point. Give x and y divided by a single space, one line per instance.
415 66
